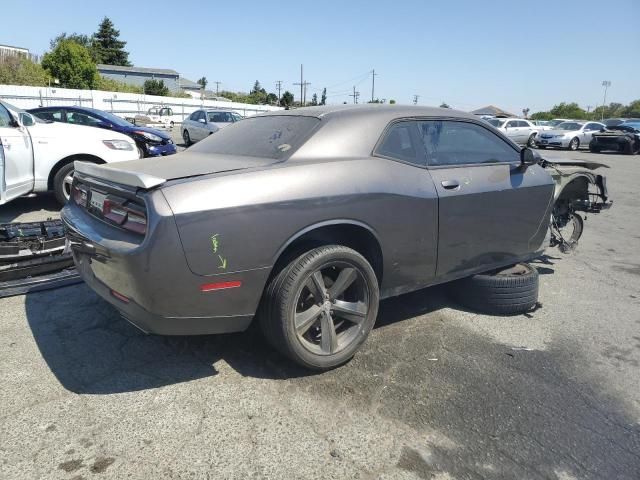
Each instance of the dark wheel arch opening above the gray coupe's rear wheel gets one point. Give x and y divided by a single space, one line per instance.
353 234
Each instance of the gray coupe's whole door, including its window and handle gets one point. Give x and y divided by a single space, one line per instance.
491 211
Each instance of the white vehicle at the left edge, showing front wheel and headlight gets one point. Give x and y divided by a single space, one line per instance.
37 155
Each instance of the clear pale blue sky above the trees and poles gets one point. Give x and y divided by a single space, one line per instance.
467 53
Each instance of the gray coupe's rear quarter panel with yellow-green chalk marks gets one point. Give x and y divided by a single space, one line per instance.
237 222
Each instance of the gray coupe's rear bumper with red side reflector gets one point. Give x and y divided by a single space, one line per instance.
150 283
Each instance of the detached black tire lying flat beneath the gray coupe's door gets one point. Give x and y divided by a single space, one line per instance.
507 291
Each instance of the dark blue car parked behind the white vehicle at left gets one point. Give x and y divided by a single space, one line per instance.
150 142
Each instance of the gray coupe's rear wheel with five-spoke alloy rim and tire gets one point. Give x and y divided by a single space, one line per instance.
321 307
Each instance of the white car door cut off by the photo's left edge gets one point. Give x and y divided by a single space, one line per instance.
16 162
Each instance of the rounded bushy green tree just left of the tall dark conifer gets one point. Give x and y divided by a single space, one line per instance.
72 64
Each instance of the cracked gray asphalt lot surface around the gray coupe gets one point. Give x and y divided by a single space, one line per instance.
436 392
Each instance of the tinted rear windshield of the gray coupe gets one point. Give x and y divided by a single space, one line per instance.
272 136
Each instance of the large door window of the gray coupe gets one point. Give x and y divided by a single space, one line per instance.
449 142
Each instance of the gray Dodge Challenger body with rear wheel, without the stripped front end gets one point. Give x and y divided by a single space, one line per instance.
305 219
